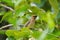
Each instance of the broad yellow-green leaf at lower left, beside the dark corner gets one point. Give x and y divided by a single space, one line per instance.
13 33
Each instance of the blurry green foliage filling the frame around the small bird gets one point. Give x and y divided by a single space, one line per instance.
18 12
